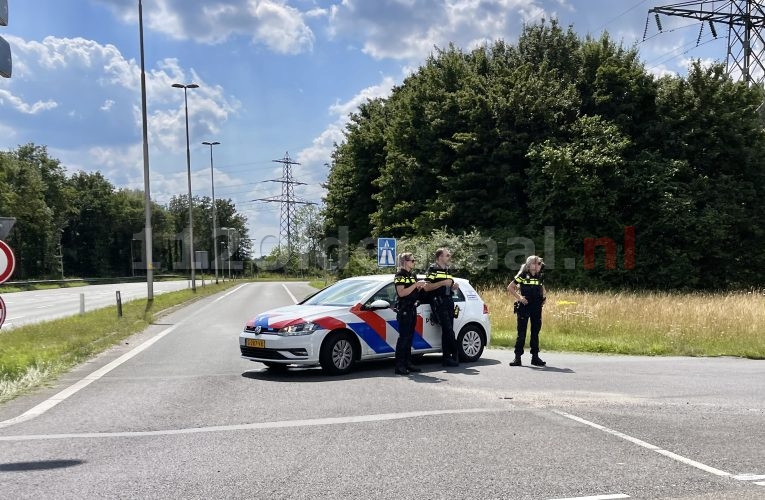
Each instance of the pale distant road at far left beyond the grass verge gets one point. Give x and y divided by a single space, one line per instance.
42 305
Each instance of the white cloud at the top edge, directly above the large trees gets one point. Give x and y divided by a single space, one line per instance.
401 29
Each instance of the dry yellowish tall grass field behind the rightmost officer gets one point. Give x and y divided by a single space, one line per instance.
696 324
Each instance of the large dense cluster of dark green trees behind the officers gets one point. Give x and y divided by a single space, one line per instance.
572 134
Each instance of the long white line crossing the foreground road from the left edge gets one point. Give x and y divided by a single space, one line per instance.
357 419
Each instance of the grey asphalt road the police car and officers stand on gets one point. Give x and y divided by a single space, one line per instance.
186 417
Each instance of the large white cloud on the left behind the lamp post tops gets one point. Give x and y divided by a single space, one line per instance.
105 80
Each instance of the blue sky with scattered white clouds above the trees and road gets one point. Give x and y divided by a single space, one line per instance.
275 77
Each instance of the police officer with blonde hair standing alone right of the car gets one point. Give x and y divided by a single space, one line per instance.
528 288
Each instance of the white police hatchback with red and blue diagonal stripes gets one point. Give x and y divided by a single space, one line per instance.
353 320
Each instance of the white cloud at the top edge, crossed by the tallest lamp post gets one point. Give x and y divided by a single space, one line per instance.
272 23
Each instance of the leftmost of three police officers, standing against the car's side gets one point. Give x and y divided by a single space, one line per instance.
407 293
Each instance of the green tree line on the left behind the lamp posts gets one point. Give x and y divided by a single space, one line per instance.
81 221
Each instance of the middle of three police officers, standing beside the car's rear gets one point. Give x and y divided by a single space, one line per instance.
440 285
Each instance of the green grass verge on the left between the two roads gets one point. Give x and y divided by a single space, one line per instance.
33 354
